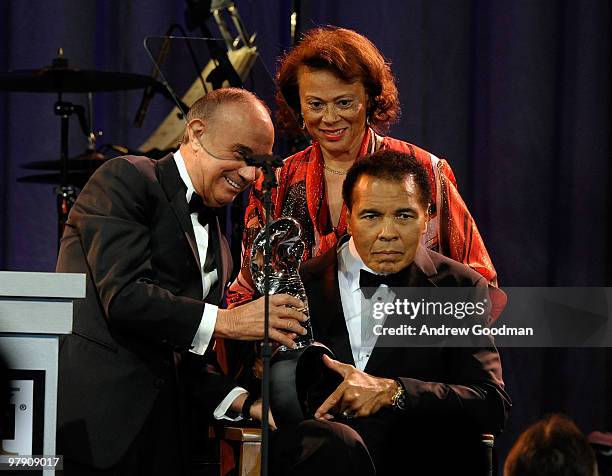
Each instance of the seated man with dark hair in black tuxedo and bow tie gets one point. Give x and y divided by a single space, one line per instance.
417 408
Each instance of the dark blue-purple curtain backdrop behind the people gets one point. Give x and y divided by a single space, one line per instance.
514 94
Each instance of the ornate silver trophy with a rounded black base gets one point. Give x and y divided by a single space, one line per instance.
299 380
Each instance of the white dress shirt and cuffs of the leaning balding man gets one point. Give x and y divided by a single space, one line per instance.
209 316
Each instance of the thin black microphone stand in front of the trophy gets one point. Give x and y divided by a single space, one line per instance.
268 164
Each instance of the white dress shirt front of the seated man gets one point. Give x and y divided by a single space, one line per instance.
357 309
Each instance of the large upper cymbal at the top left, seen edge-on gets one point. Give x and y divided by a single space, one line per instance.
69 80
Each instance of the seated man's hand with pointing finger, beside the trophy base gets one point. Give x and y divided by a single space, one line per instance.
359 394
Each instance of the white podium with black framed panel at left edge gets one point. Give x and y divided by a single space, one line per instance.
35 310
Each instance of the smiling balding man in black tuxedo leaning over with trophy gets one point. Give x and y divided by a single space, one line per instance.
136 379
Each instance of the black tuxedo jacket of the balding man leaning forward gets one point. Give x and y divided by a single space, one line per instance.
130 233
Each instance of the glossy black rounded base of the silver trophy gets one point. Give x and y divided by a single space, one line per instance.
300 382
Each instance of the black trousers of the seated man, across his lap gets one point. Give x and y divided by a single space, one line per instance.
380 444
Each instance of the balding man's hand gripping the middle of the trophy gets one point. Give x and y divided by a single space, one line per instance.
246 322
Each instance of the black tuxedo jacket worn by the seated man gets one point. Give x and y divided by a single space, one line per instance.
459 384
